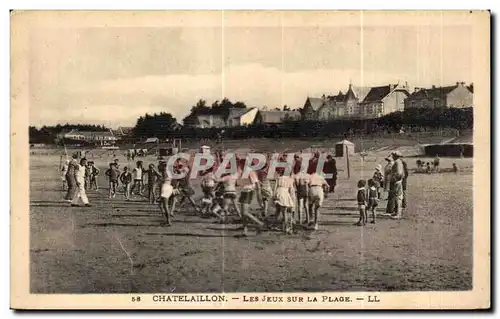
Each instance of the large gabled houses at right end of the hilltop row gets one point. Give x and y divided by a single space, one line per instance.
373 102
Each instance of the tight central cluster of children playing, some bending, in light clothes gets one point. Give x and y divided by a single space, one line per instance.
297 198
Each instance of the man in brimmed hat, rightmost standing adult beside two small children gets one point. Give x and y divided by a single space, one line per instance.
396 186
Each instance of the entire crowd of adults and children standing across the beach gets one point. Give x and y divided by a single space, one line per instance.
297 196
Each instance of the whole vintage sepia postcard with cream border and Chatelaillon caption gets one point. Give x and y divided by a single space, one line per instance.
250 160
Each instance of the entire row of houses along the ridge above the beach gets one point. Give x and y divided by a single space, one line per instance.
356 102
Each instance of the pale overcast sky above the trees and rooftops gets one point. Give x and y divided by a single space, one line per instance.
77 73
